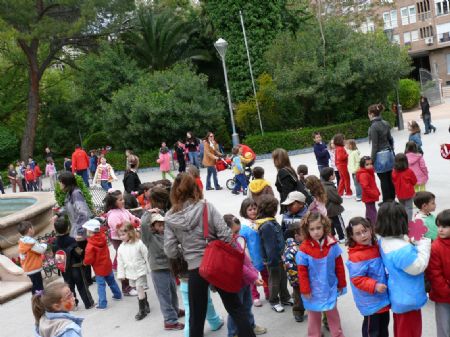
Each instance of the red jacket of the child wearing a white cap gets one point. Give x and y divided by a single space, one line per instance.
97 254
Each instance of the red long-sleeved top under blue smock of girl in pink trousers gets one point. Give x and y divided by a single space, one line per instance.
313 249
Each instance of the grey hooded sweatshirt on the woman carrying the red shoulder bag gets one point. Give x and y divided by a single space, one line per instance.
185 227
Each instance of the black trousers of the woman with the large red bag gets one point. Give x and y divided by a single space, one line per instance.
198 301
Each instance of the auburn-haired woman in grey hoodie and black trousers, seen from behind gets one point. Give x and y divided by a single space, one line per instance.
184 225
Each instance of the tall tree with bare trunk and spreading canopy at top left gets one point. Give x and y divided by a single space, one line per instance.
46 31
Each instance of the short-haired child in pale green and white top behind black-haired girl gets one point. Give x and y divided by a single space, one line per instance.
425 202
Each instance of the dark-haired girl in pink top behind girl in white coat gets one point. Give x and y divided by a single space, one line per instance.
117 216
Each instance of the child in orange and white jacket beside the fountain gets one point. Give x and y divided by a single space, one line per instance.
30 254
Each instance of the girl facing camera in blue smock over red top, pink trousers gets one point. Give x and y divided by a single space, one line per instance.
321 274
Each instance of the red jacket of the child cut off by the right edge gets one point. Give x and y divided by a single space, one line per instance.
438 271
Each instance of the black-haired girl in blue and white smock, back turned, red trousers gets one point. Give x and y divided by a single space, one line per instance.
405 263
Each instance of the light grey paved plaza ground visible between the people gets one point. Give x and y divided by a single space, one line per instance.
16 319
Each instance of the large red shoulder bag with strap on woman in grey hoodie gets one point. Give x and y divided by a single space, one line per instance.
222 264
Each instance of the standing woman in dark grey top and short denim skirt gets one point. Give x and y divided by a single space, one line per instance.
382 150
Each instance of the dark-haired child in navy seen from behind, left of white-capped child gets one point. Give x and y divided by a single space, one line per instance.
272 246
